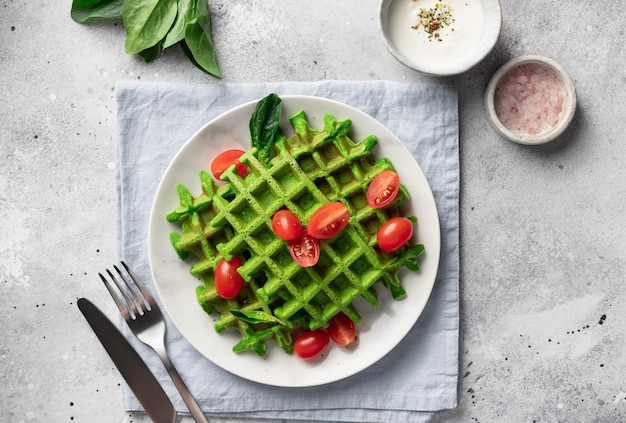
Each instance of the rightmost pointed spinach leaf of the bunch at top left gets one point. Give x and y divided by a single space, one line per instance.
198 39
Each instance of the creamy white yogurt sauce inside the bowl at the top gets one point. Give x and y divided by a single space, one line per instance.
455 41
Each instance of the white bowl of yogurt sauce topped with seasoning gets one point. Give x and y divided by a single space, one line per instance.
462 44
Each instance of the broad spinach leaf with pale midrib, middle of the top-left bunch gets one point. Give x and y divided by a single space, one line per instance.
147 22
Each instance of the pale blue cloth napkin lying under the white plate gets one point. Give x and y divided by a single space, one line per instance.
414 381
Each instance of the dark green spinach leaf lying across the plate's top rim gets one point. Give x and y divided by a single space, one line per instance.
264 125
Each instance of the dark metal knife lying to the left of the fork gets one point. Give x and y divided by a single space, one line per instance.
133 369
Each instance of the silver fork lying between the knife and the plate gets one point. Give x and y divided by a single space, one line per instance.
145 320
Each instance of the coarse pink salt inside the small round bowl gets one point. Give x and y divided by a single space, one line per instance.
529 99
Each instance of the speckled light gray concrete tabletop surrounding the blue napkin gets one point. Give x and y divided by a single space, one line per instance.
543 238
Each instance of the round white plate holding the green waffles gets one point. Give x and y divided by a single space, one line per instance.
382 328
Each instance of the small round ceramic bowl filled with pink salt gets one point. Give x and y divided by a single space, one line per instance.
530 100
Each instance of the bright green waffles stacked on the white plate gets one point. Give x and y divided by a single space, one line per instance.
302 172
